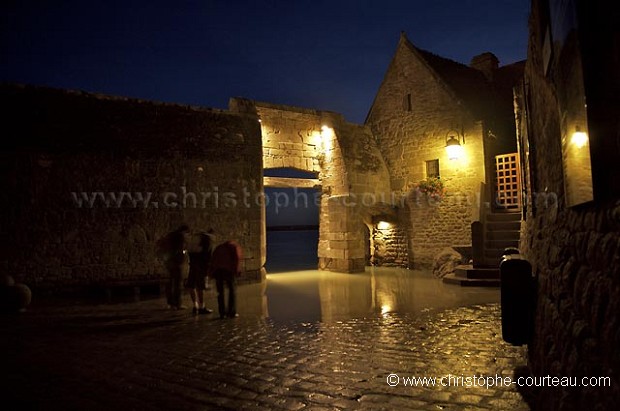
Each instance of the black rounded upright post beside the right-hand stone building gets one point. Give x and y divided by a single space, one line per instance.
517 298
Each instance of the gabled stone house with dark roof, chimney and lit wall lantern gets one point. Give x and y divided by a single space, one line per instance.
424 103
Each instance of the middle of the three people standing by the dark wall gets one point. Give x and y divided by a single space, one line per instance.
196 283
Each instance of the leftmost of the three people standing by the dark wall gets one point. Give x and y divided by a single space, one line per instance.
173 250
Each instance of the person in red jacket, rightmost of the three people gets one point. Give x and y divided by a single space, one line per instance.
225 267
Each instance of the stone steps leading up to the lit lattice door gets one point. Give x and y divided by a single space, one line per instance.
500 230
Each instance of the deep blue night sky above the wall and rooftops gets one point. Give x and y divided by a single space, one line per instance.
328 55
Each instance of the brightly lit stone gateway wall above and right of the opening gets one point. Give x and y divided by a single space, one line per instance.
349 168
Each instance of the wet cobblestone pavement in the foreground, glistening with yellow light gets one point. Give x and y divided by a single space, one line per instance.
142 356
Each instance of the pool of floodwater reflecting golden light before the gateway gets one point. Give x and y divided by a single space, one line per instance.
310 296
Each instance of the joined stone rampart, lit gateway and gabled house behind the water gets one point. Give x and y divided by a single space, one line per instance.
90 181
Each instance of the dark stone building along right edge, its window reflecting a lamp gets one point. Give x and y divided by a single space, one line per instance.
569 138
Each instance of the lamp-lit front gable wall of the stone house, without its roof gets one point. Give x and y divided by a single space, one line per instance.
409 137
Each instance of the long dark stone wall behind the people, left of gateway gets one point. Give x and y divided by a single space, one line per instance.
90 182
